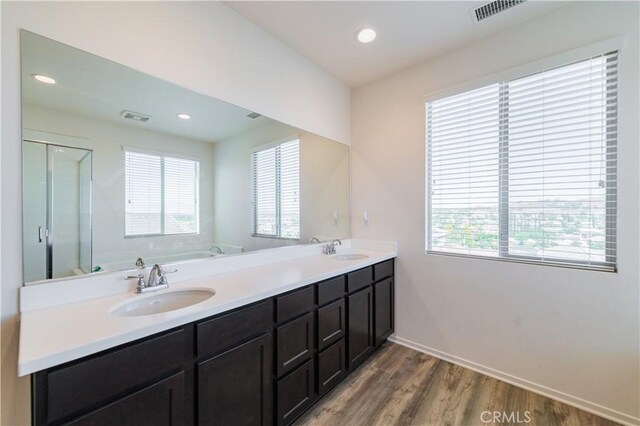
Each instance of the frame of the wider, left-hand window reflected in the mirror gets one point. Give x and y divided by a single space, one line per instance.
162 157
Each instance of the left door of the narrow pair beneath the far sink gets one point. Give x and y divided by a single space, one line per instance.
360 326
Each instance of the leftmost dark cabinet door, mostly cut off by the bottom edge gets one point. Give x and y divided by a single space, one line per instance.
159 404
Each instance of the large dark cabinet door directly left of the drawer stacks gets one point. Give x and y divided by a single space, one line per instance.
234 388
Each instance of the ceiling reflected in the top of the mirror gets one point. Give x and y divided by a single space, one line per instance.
95 87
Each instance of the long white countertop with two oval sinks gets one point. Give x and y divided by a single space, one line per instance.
58 334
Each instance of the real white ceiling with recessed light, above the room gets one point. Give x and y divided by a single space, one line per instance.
409 32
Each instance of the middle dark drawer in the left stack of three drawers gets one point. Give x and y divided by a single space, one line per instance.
294 343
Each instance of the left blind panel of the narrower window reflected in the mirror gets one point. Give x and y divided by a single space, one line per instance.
265 192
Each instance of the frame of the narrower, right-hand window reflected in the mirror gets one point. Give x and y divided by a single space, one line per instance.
254 219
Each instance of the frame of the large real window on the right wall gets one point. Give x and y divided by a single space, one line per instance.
502 79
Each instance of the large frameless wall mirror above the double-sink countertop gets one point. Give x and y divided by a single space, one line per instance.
119 165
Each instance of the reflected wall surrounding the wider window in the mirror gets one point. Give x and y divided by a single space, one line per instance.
106 139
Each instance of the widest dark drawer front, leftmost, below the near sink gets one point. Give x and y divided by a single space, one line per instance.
99 379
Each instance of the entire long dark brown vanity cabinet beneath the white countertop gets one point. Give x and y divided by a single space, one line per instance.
261 364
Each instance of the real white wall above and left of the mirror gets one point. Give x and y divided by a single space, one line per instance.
203 46
